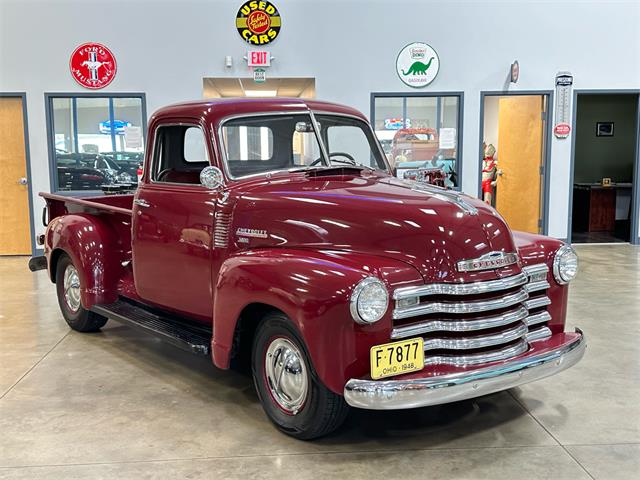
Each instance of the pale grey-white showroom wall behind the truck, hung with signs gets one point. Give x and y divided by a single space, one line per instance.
164 48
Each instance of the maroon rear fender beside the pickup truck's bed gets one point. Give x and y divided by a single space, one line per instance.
96 251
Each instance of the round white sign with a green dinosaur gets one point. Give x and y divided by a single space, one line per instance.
417 64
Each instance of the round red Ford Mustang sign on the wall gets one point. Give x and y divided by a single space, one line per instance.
93 65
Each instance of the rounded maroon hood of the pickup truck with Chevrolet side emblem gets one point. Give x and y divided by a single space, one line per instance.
428 227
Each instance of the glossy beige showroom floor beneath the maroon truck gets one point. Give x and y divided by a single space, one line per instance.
119 405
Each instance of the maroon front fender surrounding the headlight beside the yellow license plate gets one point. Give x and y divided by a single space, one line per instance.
313 289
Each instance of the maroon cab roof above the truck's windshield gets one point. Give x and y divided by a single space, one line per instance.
216 109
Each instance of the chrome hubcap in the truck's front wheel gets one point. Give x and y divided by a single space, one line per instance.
286 374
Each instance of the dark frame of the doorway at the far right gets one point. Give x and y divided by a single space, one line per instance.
635 188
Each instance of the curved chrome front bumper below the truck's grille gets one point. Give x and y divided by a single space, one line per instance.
422 392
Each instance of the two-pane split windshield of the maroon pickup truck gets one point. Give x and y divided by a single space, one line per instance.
289 142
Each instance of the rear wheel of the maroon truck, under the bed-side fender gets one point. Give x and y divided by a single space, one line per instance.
68 289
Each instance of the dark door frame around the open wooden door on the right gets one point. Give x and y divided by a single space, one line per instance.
546 154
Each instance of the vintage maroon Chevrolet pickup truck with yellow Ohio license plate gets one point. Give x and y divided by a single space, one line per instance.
272 234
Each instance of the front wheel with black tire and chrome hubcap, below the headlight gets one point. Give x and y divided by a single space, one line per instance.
292 396
